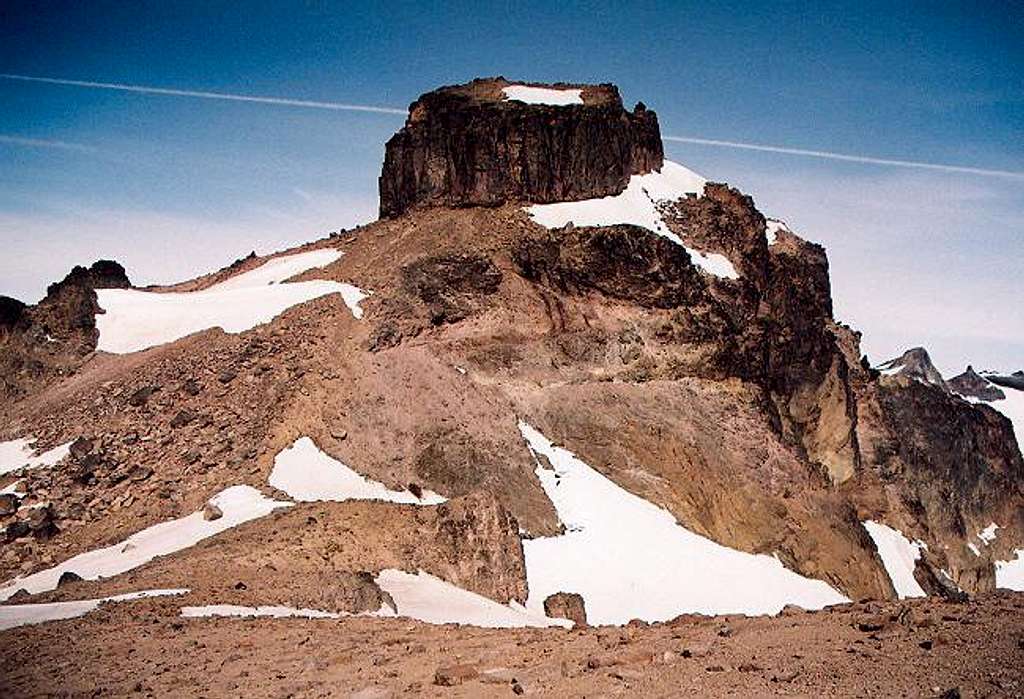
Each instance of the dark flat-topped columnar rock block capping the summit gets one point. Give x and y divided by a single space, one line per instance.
471 146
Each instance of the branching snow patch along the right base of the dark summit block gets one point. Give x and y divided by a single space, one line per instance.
638 205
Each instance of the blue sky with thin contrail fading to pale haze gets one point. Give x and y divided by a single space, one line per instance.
174 186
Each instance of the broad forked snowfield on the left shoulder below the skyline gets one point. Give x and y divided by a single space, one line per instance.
135 320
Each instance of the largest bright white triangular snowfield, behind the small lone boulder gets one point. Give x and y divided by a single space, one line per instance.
630 559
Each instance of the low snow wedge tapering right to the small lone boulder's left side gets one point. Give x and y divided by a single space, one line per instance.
430 599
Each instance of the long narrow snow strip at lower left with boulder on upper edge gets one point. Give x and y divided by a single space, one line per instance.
239 504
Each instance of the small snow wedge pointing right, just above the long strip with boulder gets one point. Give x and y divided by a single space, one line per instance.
309 475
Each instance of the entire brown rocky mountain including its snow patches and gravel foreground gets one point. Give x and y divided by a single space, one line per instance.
563 383
